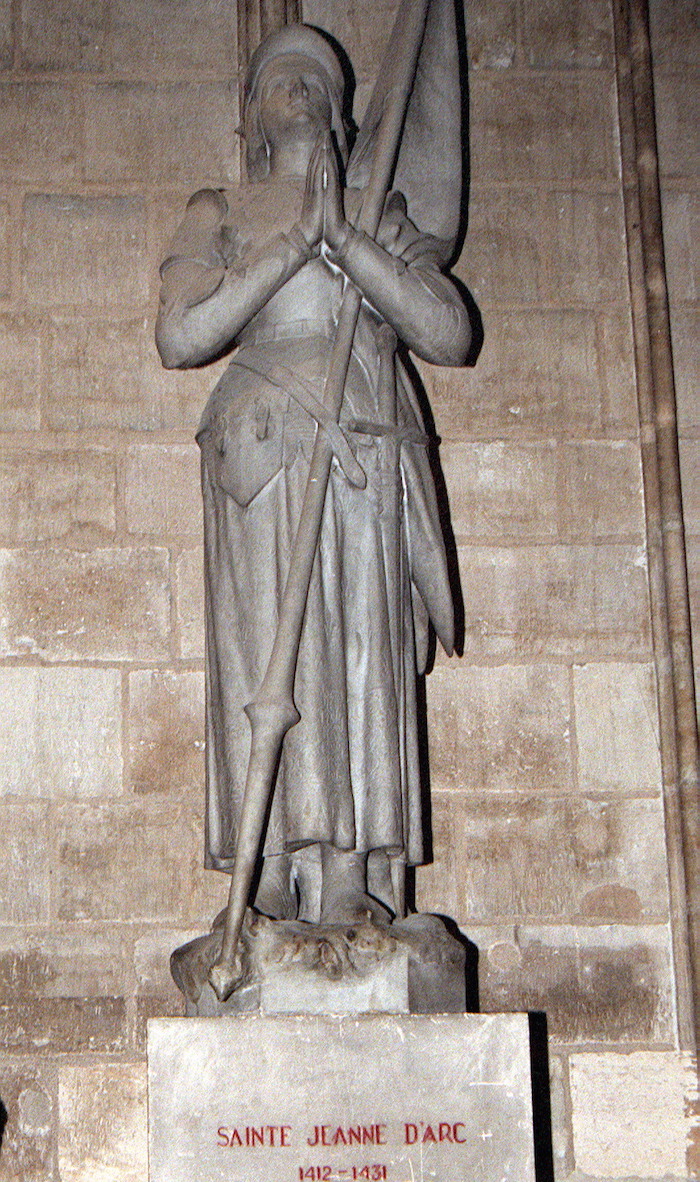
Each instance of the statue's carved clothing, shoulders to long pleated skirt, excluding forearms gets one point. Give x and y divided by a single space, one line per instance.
349 771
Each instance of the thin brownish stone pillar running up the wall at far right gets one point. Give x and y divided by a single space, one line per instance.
669 583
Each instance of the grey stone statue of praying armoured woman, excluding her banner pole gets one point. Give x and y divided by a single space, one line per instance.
263 270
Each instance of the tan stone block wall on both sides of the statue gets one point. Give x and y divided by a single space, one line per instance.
548 815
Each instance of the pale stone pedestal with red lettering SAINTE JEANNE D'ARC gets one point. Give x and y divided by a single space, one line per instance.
323 1099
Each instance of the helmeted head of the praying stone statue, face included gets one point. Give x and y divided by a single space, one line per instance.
301 55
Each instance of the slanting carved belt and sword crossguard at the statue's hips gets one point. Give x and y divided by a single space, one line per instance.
303 393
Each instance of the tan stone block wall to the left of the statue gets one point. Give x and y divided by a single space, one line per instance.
111 116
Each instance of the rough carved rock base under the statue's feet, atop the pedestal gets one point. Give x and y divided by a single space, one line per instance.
412 966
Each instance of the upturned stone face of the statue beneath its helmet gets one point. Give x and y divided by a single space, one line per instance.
295 101
